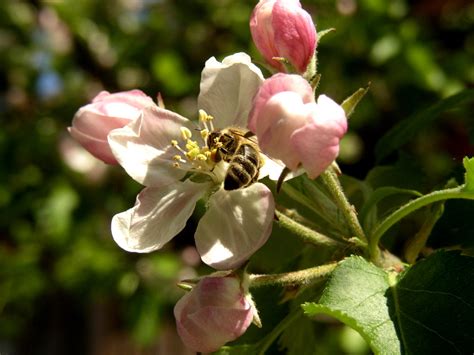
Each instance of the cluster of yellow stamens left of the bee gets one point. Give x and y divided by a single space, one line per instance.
196 155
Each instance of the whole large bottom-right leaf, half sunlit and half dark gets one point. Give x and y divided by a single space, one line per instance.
428 310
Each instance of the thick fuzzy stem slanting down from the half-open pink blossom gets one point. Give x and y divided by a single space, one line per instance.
331 180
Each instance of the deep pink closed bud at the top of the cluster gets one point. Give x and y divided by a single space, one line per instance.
281 28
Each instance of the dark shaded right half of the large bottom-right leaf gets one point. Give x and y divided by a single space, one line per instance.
433 305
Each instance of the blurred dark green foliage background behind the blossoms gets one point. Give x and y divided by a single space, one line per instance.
65 286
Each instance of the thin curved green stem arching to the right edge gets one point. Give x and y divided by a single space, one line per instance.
411 206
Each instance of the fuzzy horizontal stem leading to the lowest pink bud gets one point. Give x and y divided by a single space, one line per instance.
300 277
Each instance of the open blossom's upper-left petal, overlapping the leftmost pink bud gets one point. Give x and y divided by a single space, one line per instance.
144 150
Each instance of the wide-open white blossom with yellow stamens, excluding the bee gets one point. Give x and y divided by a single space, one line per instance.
169 155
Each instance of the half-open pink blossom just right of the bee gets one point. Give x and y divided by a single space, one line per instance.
292 127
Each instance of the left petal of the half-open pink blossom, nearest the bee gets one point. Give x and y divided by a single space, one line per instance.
278 119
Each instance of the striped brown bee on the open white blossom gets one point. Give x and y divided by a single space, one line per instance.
234 146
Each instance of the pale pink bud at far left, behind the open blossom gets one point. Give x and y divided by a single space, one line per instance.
93 122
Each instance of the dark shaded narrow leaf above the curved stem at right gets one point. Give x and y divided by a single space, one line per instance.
409 127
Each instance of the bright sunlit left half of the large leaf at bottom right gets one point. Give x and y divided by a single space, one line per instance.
355 294
